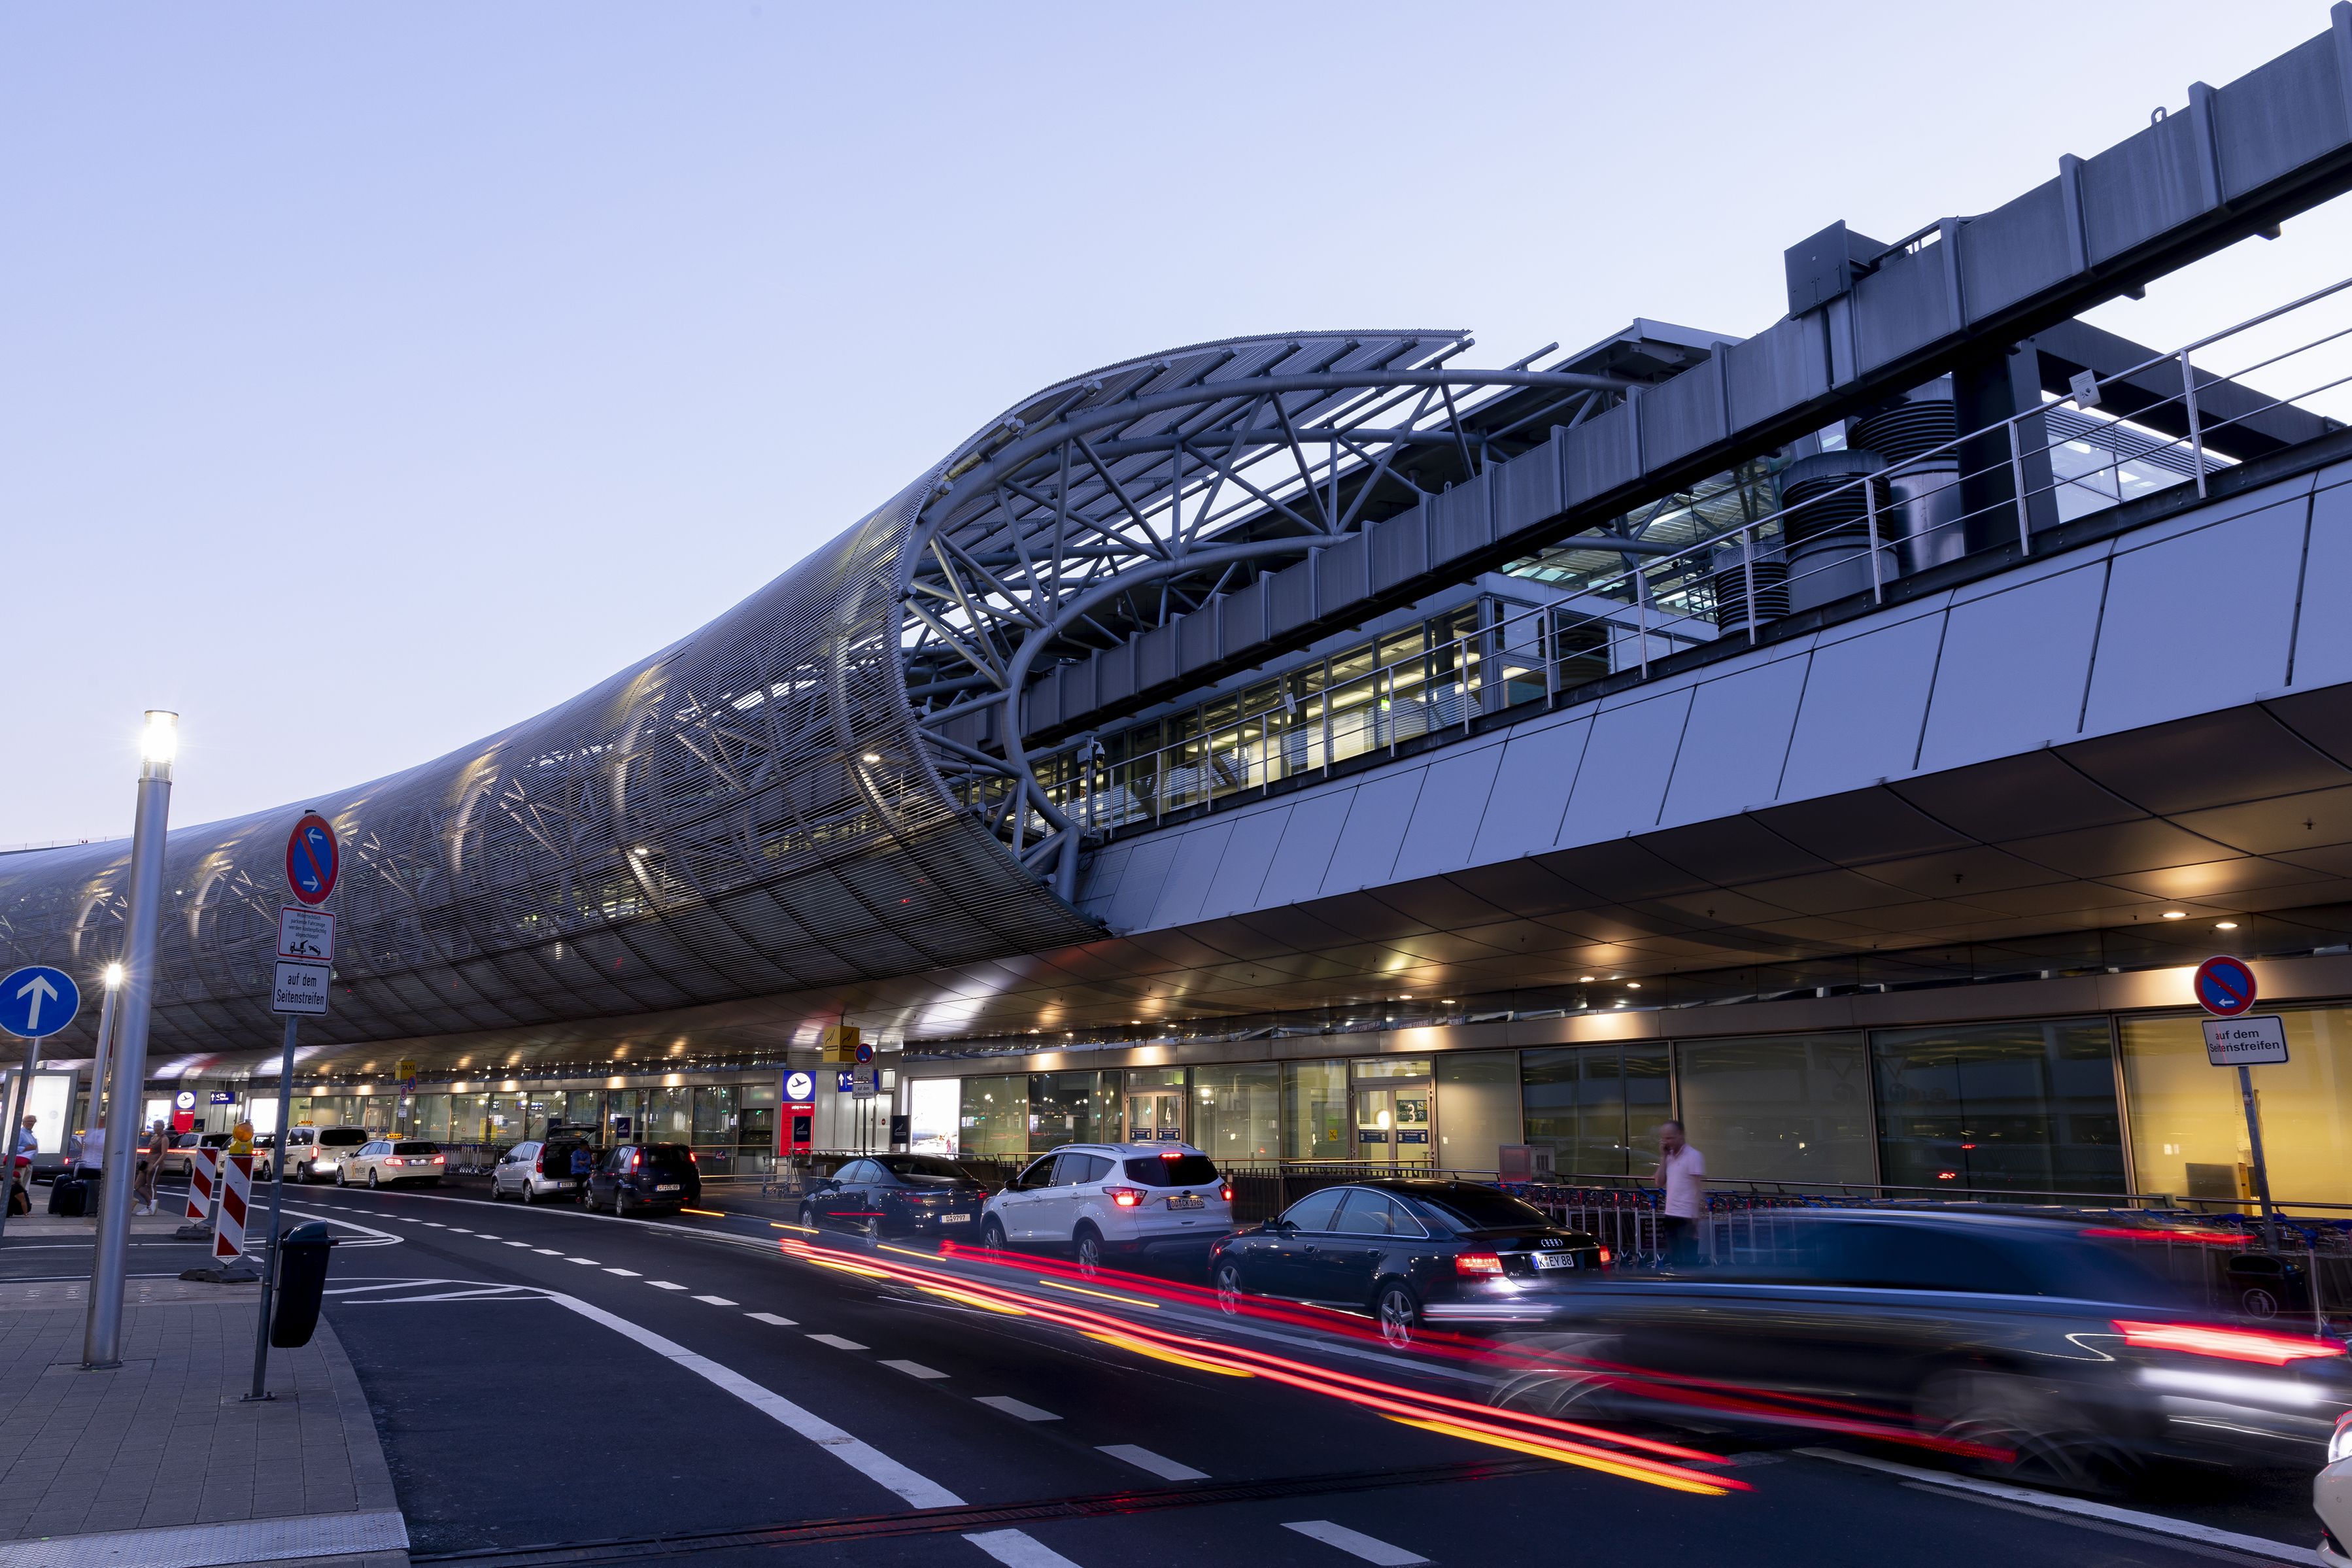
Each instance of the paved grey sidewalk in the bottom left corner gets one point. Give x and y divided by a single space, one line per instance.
159 1463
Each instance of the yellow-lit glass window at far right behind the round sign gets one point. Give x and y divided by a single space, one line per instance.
2189 1123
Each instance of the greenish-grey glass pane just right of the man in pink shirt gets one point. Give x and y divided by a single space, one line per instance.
1789 1108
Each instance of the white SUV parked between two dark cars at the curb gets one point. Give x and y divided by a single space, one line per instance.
1107 1200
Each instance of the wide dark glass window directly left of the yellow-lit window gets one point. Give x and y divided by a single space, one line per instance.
2005 1106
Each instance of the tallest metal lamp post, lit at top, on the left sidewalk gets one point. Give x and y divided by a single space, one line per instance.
102 1334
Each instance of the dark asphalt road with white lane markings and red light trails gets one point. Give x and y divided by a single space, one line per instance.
714 1391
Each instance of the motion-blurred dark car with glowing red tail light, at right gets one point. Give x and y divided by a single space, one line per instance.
2052 1348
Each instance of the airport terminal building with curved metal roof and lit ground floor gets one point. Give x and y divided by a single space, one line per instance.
1370 746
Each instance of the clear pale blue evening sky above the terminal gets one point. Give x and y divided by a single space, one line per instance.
380 375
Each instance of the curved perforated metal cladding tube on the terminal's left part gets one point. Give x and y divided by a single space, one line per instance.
697 829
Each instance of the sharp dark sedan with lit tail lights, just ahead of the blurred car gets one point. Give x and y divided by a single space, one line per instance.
1410 1252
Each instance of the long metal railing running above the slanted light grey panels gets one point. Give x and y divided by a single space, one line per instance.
1829 547
